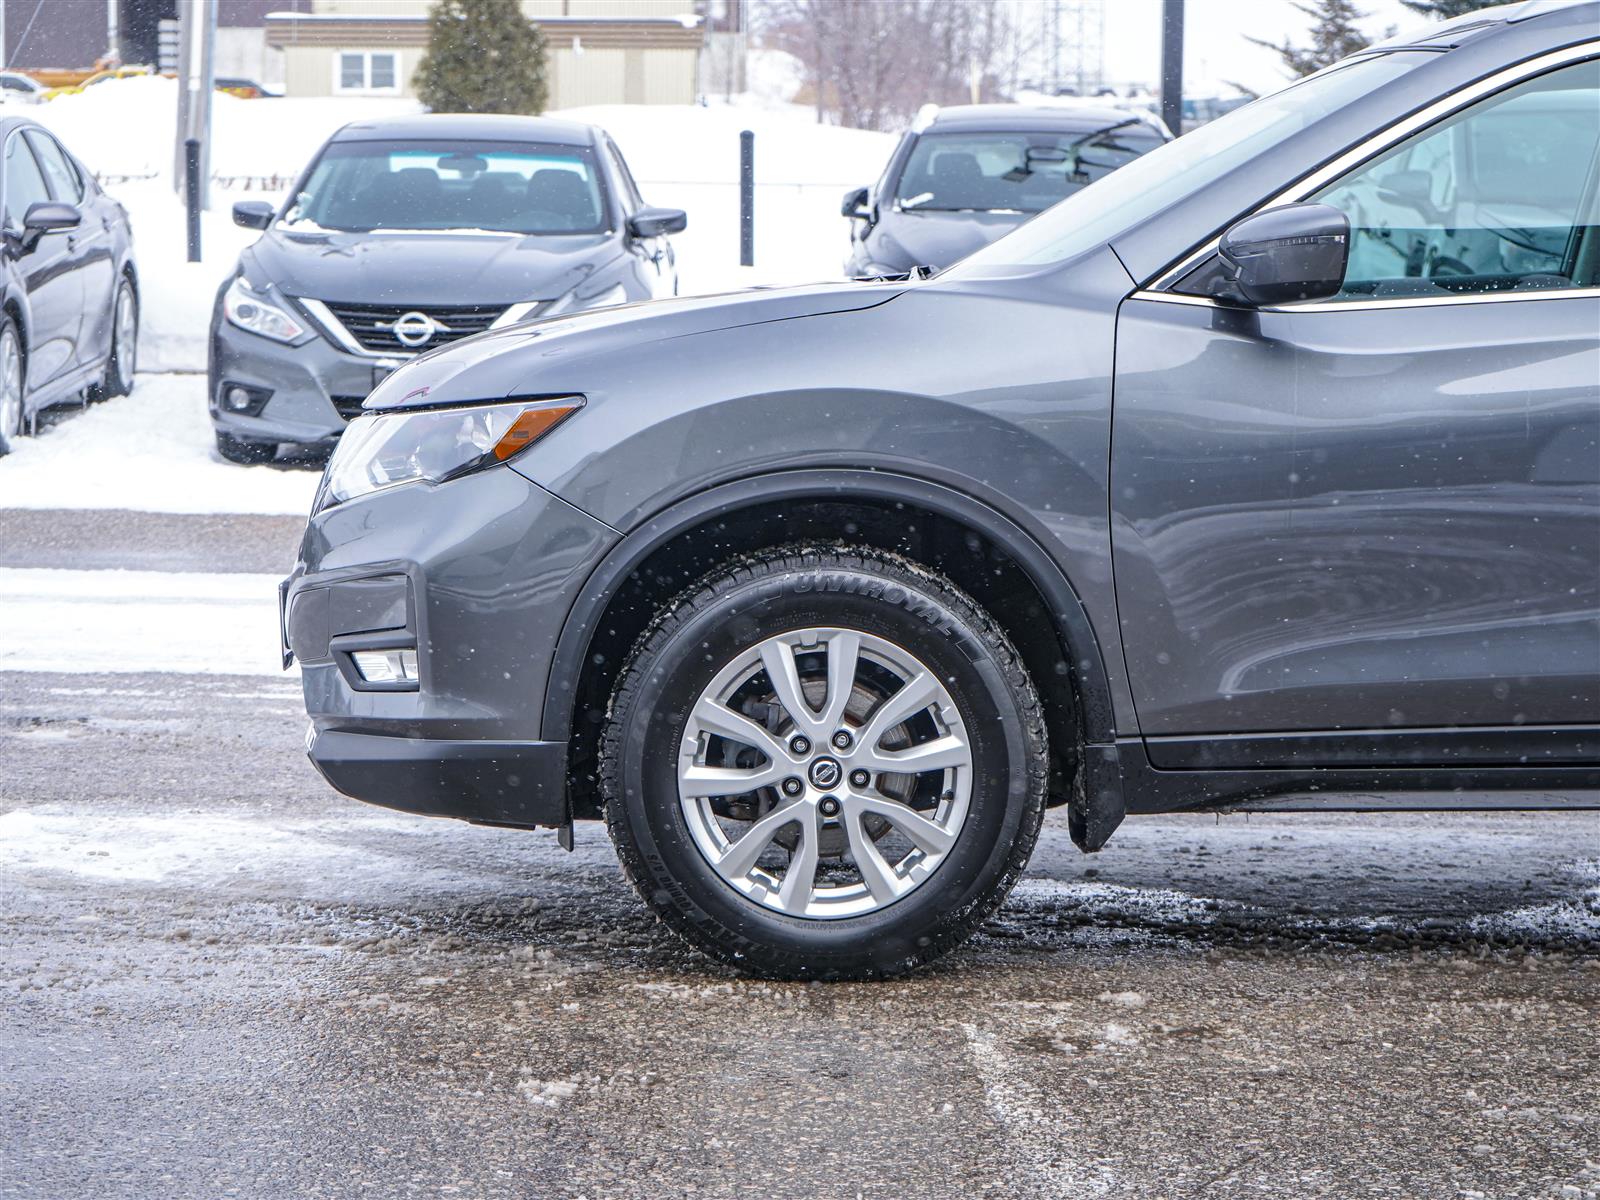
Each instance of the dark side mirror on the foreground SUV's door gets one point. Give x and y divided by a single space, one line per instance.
1289 254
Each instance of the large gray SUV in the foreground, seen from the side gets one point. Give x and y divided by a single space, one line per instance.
1263 473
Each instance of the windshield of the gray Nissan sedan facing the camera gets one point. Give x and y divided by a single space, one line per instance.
514 188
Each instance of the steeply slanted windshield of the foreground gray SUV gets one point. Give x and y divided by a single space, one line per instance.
1154 182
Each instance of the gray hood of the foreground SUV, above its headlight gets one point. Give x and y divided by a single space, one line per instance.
564 356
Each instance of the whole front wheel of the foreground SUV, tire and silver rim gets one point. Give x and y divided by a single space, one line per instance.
825 764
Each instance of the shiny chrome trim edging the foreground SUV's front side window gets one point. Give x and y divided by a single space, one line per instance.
1372 148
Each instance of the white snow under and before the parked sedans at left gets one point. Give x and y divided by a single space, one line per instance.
151 452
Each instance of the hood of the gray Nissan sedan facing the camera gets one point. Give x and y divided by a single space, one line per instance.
418 270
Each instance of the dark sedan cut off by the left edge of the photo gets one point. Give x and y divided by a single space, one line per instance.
70 295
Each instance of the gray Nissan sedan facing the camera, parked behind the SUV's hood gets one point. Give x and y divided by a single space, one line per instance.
409 234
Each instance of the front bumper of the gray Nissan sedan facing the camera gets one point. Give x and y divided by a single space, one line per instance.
316 388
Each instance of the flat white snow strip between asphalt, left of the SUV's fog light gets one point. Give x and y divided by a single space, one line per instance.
140 622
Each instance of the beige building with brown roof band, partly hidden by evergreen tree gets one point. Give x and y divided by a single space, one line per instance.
601 52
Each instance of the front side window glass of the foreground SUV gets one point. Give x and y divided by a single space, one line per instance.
1500 198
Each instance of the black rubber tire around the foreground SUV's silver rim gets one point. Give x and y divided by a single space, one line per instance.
802 588
